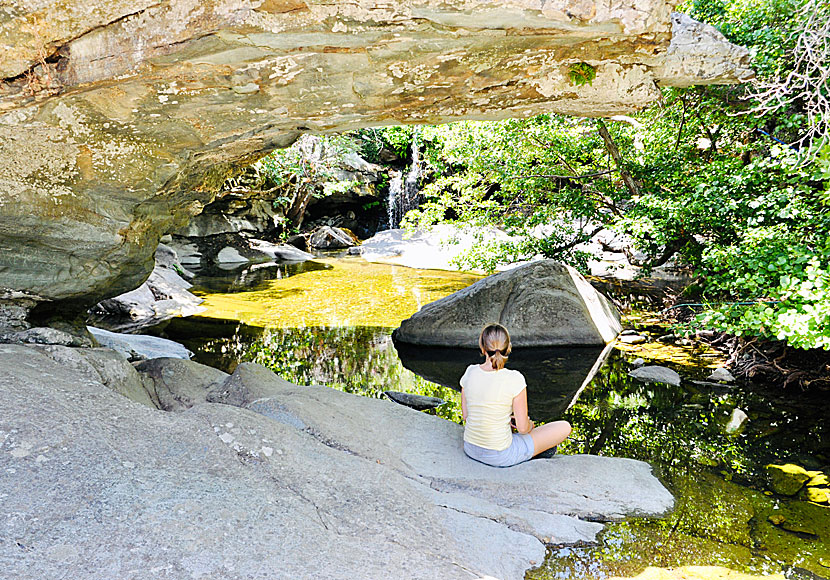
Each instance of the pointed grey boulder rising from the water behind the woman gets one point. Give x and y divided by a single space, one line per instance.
543 303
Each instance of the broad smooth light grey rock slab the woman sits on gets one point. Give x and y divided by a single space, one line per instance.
300 482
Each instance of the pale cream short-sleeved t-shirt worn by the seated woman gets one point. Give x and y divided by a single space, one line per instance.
489 396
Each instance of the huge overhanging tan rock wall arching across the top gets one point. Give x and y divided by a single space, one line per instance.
120 119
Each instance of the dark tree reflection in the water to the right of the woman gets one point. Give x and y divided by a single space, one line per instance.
682 428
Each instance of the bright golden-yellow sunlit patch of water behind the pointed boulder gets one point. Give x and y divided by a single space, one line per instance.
352 292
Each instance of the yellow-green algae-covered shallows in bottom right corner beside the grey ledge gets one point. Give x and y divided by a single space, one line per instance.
718 529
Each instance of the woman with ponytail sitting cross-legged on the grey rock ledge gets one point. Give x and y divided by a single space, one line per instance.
490 393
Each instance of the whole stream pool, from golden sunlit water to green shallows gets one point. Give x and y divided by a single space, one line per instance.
329 321
